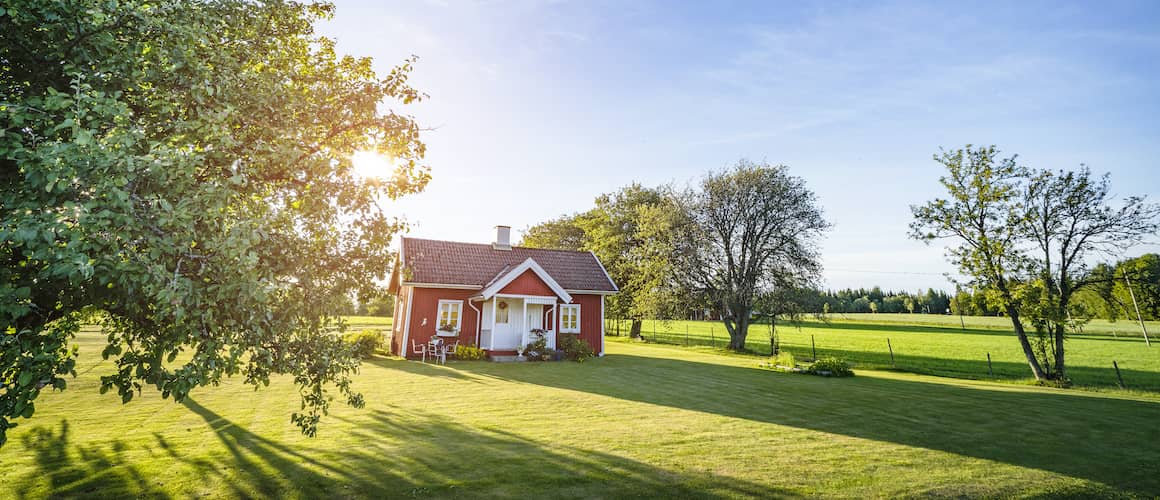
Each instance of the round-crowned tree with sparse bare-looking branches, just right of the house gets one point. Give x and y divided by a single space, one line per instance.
749 231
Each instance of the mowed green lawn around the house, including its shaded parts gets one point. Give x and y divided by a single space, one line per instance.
647 421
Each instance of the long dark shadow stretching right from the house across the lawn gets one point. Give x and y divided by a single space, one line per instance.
1106 440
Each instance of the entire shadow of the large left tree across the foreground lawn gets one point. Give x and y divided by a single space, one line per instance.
401 455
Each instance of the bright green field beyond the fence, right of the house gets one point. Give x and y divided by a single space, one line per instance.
938 345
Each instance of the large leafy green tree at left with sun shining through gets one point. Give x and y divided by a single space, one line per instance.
183 169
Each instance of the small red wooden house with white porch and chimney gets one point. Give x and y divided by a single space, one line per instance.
494 296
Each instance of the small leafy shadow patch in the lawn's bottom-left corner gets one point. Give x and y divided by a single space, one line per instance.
69 470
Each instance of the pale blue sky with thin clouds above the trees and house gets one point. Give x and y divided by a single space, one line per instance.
538 107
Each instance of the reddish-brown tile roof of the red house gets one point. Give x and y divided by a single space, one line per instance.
453 263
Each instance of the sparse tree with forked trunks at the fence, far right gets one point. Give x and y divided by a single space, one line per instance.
1026 237
